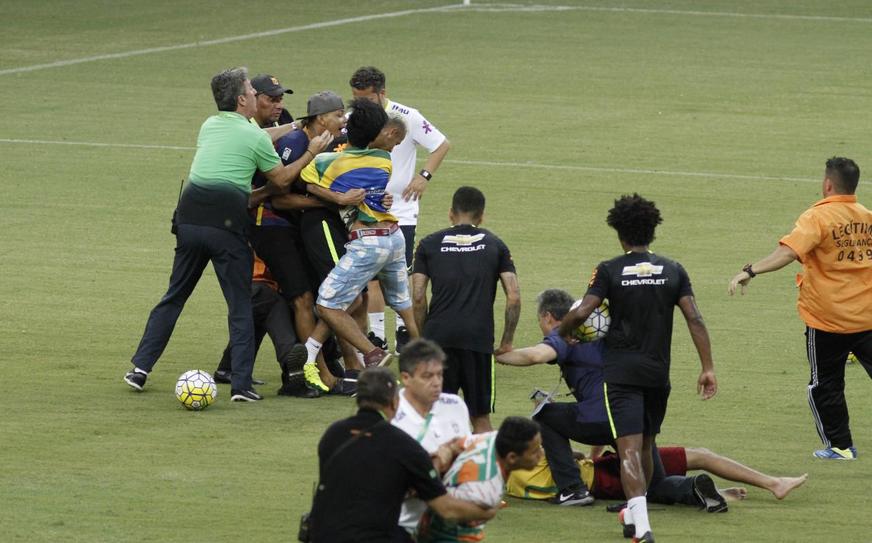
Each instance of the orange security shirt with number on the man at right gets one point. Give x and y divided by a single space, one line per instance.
833 240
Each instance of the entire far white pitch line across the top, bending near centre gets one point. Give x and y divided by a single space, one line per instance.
472 7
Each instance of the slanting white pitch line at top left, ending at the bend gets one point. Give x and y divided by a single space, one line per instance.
221 41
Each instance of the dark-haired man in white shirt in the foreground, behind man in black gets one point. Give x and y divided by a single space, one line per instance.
436 420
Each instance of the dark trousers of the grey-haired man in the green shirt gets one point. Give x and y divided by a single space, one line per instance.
232 259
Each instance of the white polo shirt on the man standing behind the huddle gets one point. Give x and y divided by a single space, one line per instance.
419 131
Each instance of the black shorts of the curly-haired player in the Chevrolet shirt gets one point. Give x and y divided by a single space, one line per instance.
634 409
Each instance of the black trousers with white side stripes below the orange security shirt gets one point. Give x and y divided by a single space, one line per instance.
827 352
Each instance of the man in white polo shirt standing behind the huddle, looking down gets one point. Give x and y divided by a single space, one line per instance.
407 184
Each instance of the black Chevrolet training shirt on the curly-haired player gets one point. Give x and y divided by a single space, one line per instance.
643 290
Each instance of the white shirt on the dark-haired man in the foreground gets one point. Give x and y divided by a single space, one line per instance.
447 420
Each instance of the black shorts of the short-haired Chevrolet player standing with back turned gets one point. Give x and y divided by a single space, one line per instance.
473 373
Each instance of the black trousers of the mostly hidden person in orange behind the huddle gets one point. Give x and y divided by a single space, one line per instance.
271 316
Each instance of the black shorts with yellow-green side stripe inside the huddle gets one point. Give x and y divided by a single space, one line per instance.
324 237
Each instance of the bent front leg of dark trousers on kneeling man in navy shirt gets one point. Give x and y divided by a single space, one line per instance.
558 424
